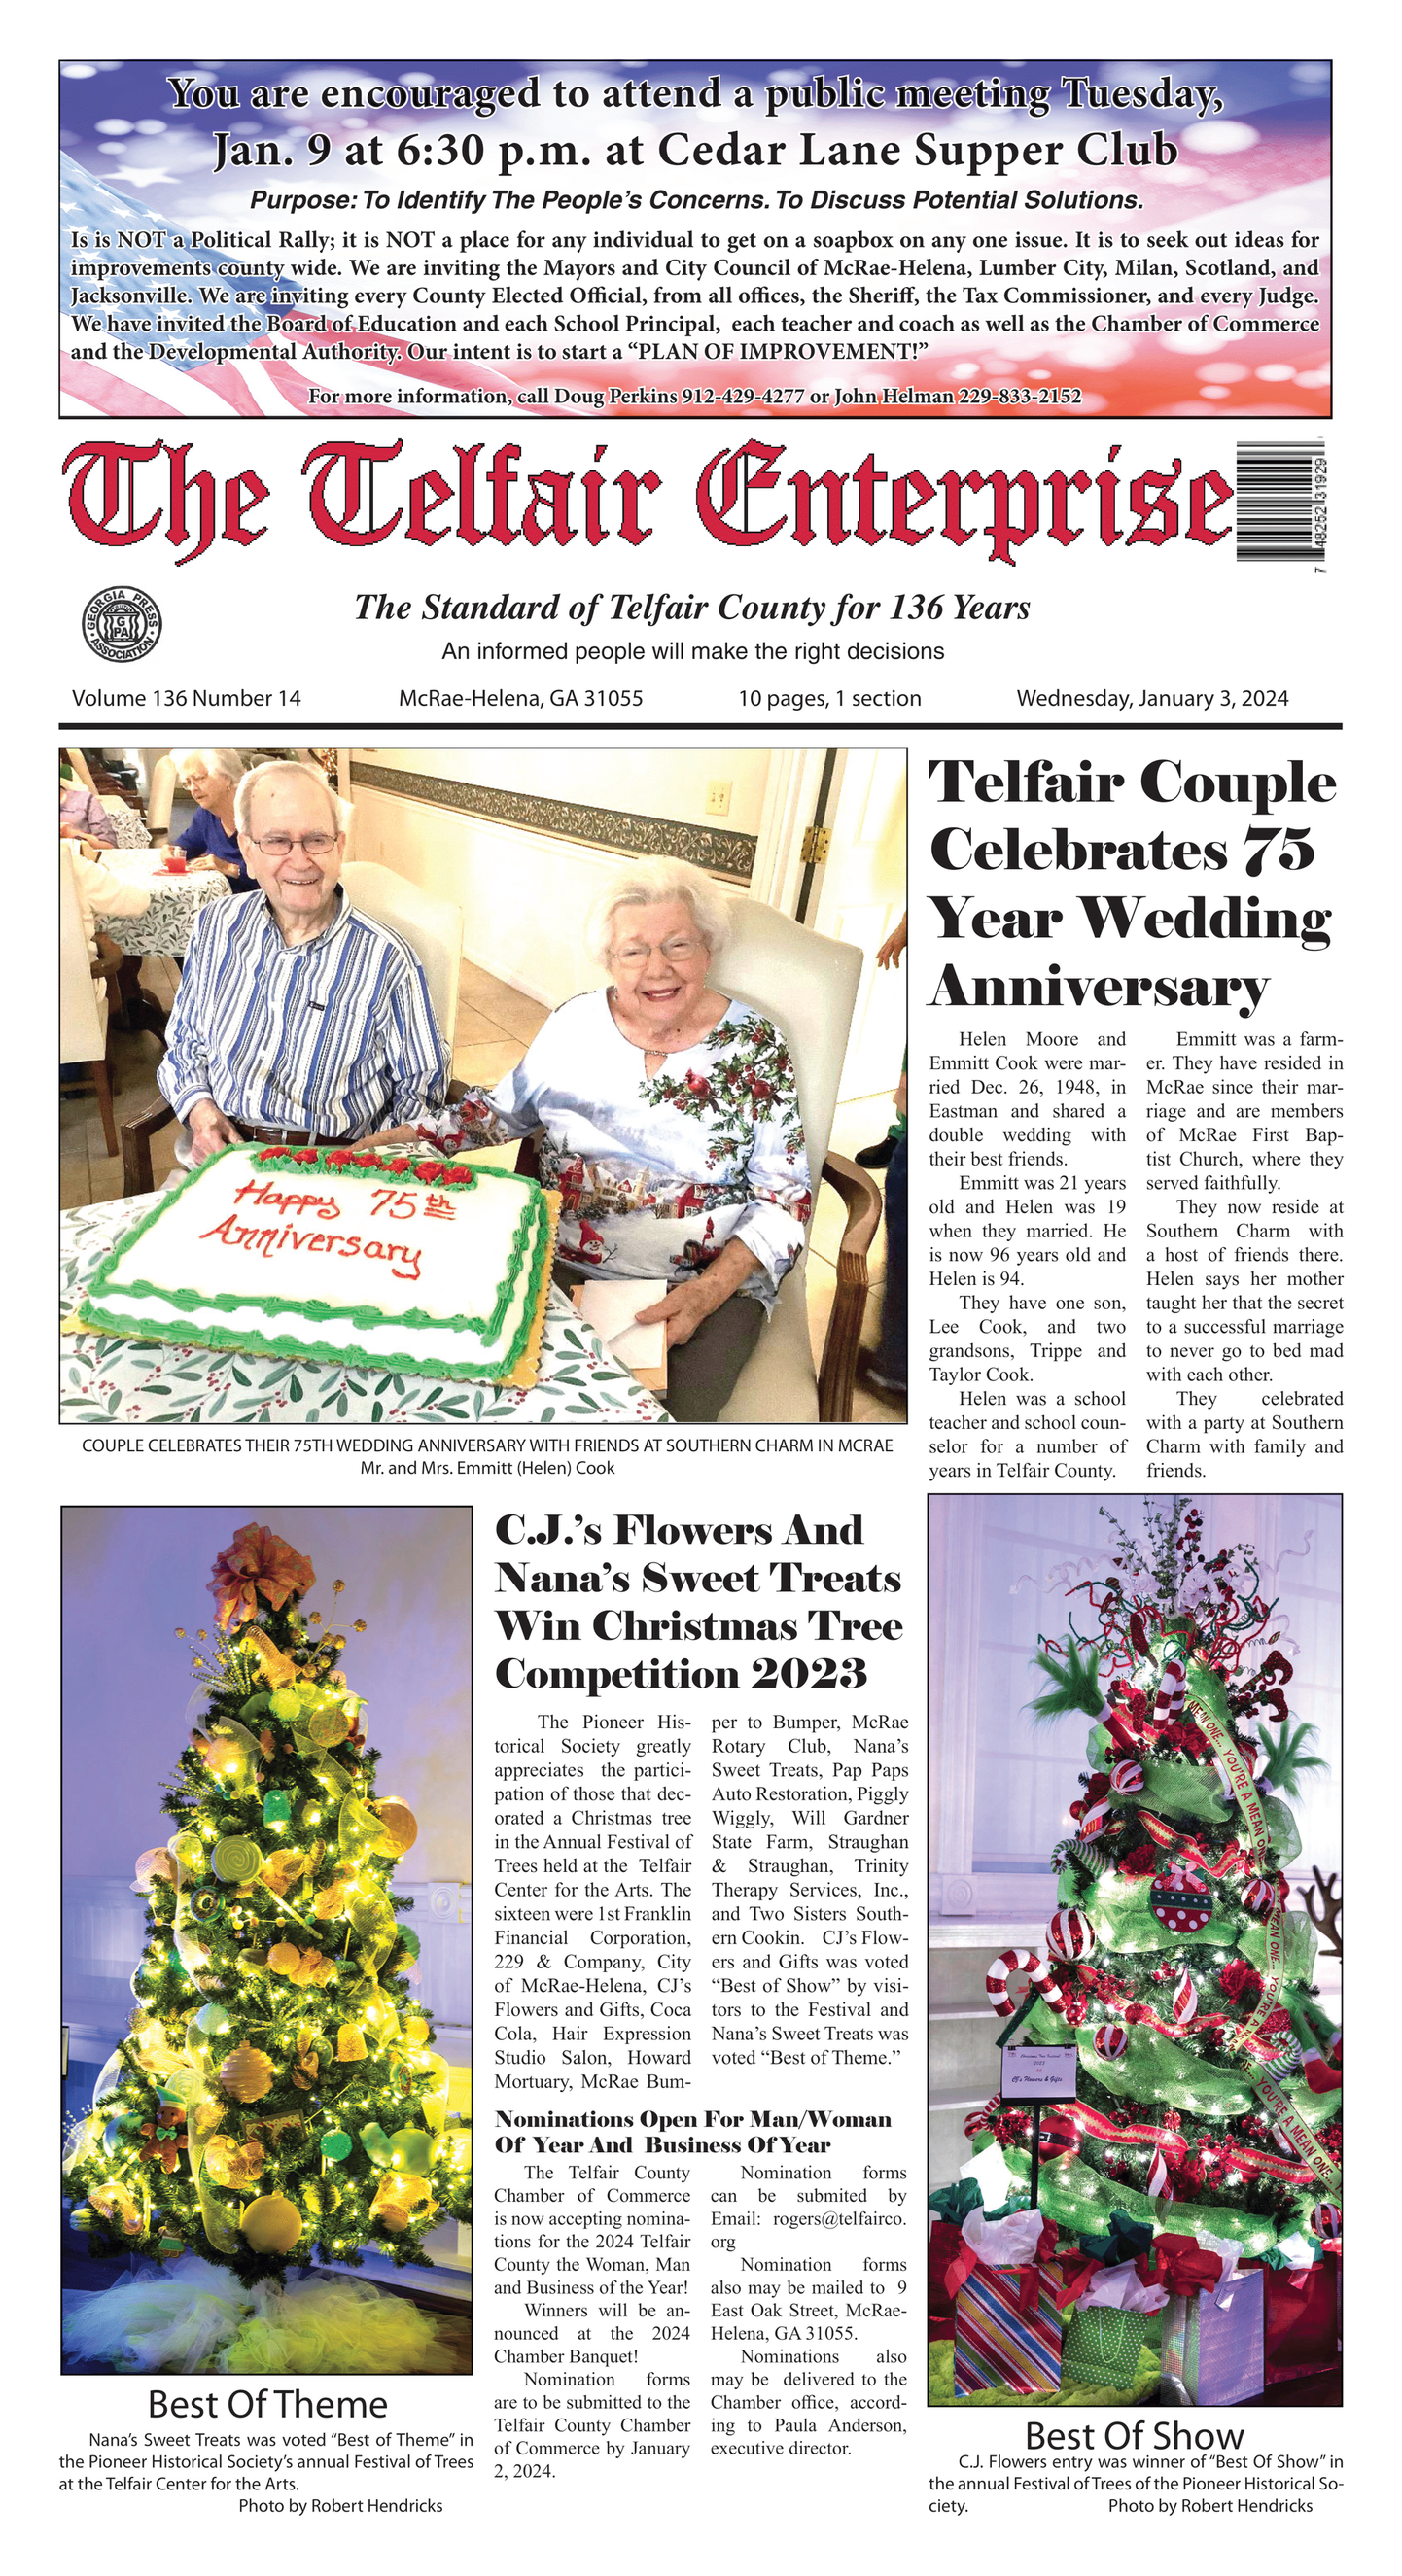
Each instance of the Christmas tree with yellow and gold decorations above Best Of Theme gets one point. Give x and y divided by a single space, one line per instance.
277 2101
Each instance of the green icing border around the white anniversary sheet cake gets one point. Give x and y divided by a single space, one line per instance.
532 1233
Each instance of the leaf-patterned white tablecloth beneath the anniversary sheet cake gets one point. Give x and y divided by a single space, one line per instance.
110 1379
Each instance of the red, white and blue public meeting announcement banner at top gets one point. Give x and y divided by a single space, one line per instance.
679 238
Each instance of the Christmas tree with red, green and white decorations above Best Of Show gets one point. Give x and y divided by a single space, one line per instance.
1210 2072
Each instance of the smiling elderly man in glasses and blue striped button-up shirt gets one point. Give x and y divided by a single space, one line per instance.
298 1021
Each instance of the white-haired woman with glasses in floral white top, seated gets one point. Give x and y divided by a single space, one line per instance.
671 1130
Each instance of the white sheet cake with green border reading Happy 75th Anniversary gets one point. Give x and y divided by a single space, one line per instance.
339 1253
